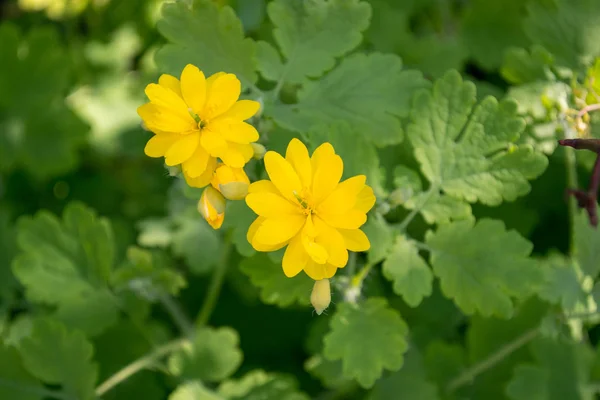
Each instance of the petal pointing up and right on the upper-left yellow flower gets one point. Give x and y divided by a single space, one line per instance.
222 94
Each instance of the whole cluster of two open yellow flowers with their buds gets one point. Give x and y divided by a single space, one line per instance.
199 125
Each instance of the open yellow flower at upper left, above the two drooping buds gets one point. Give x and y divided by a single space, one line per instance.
197 120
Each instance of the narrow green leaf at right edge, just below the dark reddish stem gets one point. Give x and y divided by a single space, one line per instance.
586 242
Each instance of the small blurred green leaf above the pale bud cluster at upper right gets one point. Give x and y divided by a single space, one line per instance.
521 66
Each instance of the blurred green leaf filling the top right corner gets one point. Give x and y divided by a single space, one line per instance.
568 29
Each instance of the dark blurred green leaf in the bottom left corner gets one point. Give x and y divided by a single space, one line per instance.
15 382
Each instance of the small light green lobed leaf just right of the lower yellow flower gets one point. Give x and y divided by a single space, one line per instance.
410 274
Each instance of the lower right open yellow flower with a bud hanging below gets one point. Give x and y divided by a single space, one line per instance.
306 208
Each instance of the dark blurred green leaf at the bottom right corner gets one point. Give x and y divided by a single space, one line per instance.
561 372
